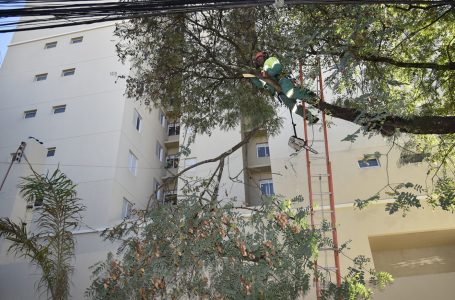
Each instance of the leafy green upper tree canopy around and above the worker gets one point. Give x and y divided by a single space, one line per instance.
394 60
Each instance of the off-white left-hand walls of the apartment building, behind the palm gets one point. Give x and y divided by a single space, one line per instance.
92 138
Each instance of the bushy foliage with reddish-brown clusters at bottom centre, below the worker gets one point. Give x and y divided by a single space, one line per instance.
200 249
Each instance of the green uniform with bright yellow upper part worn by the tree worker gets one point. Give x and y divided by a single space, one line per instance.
289 93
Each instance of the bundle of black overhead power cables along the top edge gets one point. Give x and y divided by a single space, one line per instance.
62 13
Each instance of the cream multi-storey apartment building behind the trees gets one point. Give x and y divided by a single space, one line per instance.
60 87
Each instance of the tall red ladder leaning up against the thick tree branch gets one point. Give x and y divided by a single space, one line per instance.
319 168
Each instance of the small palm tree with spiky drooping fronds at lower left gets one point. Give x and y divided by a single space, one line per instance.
51 245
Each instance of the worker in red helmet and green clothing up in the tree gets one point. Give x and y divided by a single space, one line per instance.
273 80
